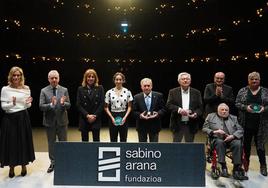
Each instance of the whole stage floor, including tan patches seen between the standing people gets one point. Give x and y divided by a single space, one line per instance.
38 178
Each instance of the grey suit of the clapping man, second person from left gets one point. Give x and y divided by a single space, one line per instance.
55 118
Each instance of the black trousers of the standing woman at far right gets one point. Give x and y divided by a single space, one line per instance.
250 134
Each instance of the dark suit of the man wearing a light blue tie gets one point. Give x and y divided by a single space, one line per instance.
150 126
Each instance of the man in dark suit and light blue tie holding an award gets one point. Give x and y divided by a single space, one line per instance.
148 108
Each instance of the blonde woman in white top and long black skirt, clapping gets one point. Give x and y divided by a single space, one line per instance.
16 144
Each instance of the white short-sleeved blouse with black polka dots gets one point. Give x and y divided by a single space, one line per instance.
118 103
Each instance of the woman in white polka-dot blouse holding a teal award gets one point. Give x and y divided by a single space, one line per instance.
118 101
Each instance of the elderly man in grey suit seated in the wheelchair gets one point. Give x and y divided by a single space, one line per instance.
225 132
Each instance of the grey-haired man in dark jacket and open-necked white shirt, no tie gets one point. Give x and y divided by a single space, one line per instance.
186 107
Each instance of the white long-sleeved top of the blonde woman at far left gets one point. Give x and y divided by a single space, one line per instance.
21 95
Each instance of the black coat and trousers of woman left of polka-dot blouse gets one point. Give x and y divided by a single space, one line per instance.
90 102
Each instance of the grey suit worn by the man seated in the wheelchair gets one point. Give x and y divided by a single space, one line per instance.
214 122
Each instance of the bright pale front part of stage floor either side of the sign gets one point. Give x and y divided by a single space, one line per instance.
38 178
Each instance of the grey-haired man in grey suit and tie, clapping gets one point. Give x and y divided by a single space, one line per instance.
54 102
